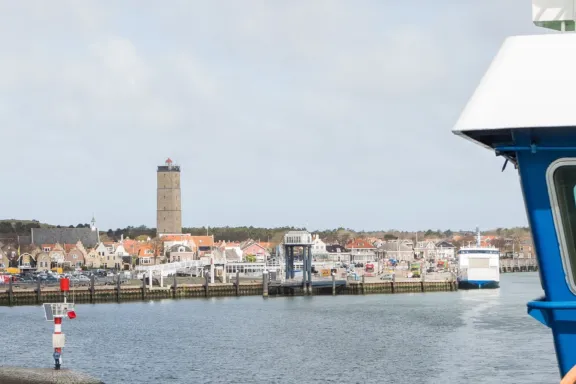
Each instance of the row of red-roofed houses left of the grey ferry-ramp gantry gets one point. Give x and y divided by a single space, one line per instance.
80 247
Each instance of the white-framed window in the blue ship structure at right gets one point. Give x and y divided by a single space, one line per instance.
562 182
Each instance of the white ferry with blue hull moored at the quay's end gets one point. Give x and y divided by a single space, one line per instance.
478 267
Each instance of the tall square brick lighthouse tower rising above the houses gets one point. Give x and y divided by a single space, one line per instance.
169 213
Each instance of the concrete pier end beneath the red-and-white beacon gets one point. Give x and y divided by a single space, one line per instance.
19 375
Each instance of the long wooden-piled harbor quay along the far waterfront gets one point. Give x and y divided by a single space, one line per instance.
13 295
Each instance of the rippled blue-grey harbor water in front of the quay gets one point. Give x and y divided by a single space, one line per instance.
463 337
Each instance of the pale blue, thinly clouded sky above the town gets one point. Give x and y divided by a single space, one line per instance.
317 113
